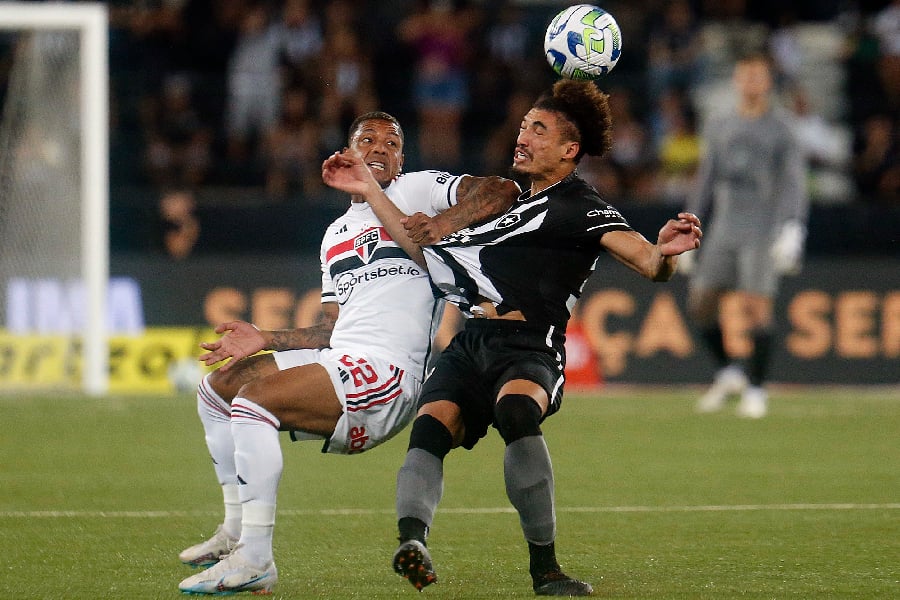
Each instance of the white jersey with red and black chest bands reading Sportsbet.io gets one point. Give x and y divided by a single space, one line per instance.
386 302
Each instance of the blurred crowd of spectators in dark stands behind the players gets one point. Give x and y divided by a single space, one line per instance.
246 97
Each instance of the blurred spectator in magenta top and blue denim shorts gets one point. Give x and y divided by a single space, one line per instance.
438 32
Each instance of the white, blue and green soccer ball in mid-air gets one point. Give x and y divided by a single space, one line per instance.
583 42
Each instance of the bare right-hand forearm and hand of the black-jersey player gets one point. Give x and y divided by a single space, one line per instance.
656 262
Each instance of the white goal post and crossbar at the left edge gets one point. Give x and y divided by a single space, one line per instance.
90 20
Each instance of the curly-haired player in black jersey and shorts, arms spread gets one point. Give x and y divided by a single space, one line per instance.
517 276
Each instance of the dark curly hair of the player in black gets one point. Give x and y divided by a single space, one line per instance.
586 109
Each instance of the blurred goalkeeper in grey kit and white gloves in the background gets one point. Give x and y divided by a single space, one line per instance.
751 190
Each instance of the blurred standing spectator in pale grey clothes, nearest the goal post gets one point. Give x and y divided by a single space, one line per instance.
254 84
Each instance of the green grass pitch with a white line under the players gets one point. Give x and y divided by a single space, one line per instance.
97 497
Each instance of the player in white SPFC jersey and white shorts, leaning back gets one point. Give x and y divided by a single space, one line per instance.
352 379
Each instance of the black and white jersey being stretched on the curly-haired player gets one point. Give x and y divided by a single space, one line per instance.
535 258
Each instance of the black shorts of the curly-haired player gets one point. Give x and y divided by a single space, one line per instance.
484 356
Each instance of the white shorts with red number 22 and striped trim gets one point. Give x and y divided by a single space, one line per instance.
379 399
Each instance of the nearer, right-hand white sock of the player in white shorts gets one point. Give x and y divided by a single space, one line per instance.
259 464
